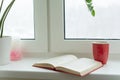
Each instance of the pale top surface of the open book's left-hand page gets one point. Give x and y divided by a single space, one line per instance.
58 60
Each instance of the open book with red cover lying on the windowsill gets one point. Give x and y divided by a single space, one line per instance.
70 64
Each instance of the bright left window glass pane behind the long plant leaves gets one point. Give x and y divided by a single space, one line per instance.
19 22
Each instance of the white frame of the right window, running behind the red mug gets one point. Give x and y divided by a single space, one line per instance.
57 42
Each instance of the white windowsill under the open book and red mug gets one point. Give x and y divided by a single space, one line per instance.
24 69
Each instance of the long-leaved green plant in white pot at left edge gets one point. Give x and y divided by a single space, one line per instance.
5 41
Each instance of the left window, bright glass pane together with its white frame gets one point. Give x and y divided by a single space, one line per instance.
30 20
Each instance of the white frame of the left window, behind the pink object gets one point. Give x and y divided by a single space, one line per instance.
40 44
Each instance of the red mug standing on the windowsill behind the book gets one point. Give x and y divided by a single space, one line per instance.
101 51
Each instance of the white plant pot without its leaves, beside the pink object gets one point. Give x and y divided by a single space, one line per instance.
5 47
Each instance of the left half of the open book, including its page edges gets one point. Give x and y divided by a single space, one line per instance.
56 61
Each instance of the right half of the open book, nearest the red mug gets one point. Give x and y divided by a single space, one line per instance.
81 66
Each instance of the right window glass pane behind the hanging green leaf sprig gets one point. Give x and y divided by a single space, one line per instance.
80 24
